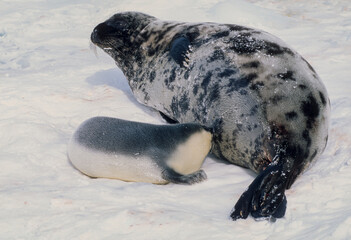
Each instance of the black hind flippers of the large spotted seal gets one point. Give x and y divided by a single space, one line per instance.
265 196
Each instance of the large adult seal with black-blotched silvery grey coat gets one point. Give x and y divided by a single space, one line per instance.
267 106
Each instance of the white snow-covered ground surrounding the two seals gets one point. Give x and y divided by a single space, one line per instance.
50 81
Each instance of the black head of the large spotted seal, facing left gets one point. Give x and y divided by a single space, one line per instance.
117 36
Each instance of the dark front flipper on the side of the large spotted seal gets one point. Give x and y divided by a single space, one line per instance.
180 50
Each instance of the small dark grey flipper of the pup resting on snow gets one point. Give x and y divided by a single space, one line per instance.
174 177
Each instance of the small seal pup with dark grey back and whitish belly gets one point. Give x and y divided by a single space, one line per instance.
140 152
